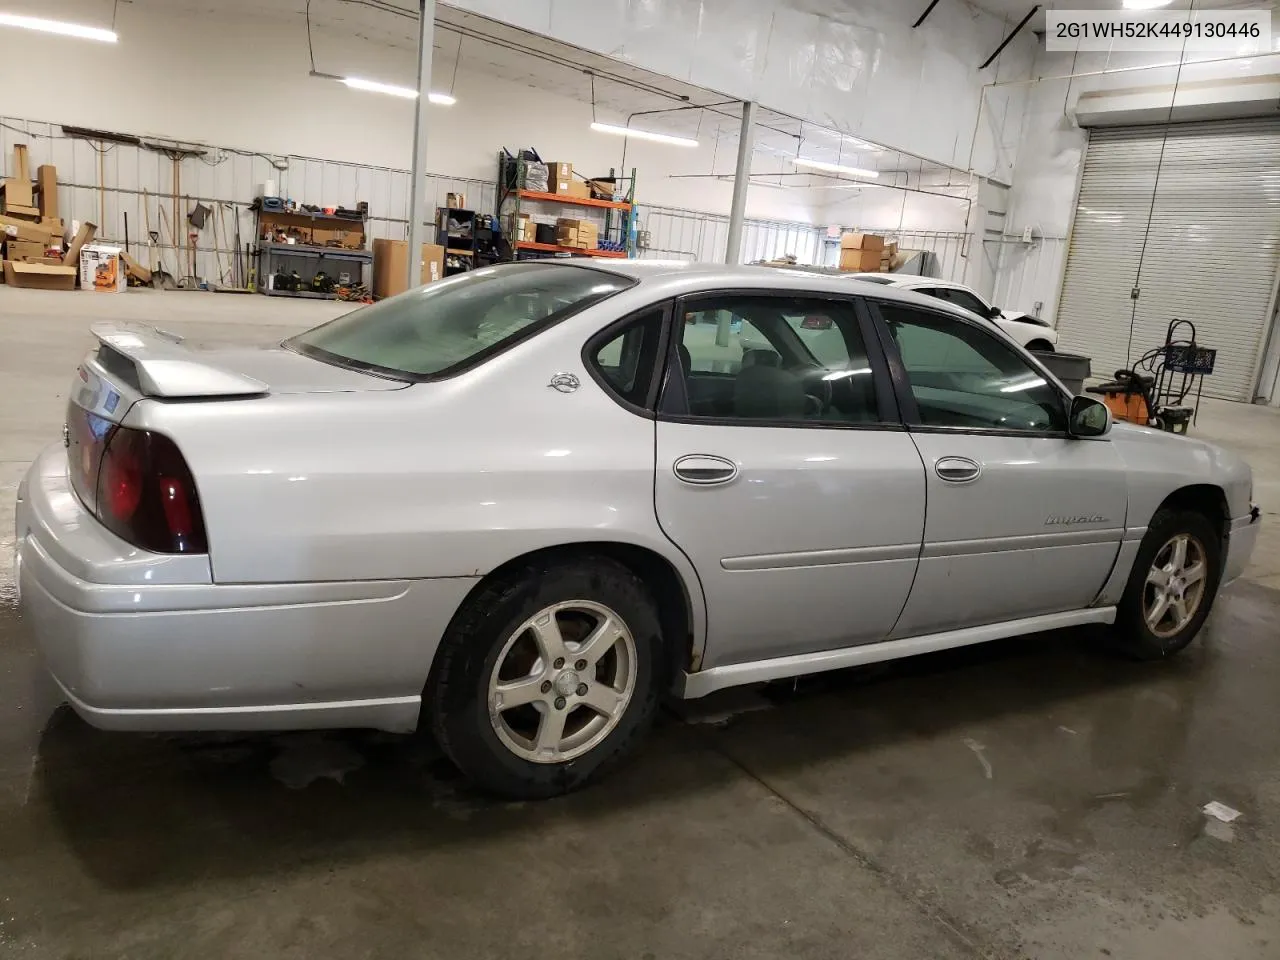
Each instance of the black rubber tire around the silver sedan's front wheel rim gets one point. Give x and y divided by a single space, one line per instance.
1133 636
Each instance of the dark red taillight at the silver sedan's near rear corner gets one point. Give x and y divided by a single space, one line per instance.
147 493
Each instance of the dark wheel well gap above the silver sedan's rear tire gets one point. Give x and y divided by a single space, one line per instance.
670 595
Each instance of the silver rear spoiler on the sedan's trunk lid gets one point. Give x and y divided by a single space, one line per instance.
166 368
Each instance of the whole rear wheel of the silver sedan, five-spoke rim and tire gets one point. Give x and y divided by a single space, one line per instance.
548 678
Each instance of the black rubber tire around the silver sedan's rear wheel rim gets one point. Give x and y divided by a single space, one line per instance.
458 693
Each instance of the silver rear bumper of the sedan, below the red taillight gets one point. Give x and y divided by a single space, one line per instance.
143 655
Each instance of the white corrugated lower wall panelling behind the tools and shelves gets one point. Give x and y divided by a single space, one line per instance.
109 182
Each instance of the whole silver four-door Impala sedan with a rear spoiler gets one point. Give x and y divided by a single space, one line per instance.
520 506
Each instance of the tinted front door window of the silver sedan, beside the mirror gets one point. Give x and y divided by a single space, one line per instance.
964 377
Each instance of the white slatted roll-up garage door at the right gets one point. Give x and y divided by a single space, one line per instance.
1212 252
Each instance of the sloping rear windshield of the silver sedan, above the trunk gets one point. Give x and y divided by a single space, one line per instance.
454 324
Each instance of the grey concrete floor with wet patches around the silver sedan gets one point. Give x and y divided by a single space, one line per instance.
1028 799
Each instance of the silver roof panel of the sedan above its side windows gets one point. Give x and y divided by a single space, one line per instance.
683 277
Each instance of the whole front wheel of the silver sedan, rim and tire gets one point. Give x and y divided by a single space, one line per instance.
1172 588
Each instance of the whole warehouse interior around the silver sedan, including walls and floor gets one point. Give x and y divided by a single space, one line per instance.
243 172
